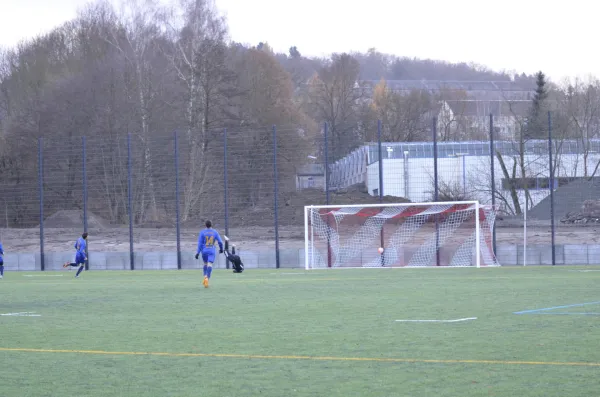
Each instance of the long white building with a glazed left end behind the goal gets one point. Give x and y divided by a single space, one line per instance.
408 169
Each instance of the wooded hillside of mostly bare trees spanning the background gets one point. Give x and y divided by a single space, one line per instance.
145 70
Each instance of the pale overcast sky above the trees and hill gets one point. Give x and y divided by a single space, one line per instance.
523 35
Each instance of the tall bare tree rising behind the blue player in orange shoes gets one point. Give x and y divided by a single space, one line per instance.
198 57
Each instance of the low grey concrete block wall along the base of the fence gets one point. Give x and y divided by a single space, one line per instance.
508 255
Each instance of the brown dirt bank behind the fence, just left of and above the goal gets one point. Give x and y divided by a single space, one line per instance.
291 205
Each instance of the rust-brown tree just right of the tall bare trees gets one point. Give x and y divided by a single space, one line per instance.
267 100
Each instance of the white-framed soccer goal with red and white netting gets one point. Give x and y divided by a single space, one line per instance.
456 234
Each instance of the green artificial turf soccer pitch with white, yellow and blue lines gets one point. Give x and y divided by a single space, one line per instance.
296 333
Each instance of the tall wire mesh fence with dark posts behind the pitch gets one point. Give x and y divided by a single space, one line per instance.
143 198
